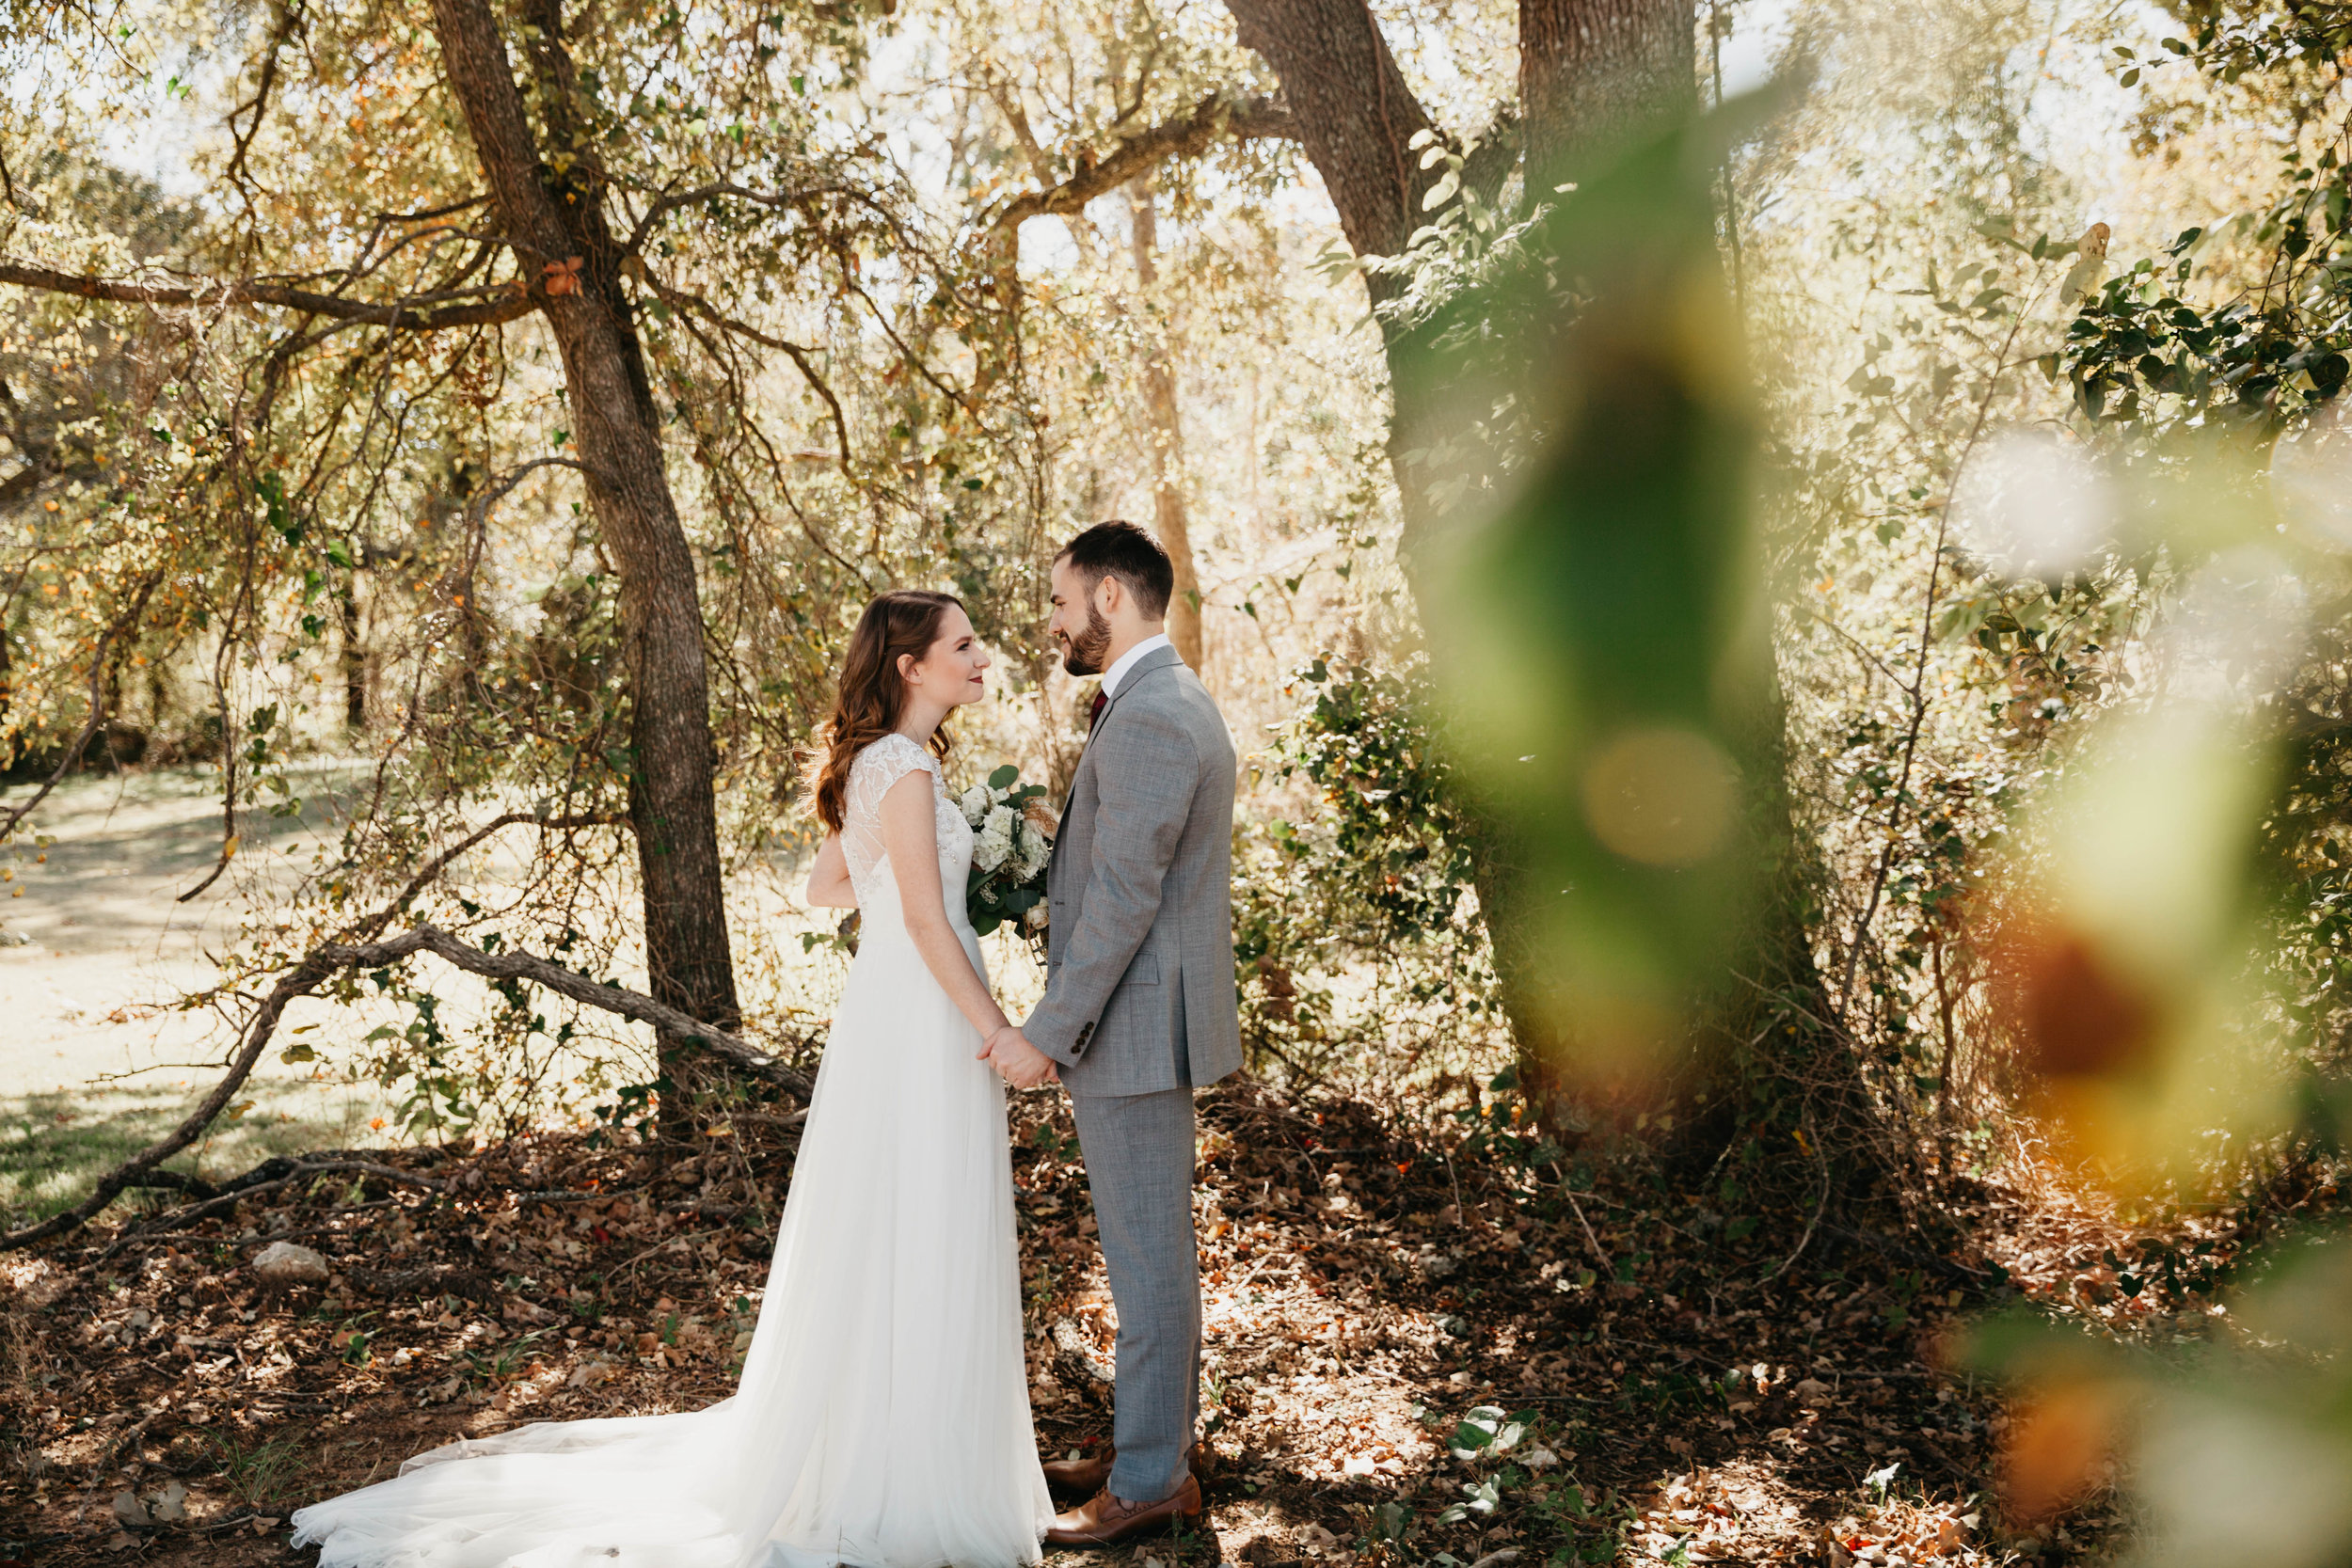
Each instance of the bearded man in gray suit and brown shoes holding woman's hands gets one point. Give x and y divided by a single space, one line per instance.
1140 1005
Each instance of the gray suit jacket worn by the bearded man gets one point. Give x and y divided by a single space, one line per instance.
1140 953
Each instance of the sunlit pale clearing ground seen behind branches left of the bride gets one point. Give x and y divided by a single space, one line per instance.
95 944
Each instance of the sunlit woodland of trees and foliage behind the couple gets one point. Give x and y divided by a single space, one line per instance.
1796 617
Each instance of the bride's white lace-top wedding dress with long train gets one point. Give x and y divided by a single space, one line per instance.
883 1416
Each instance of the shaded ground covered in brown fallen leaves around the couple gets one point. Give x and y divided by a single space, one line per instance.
1415 1353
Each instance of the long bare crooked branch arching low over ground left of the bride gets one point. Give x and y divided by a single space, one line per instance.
330 960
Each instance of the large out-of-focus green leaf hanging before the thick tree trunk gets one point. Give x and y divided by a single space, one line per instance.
1601 631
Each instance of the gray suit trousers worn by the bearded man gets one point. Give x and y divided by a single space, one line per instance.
1140 1165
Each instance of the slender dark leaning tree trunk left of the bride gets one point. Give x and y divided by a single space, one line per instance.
556 220
